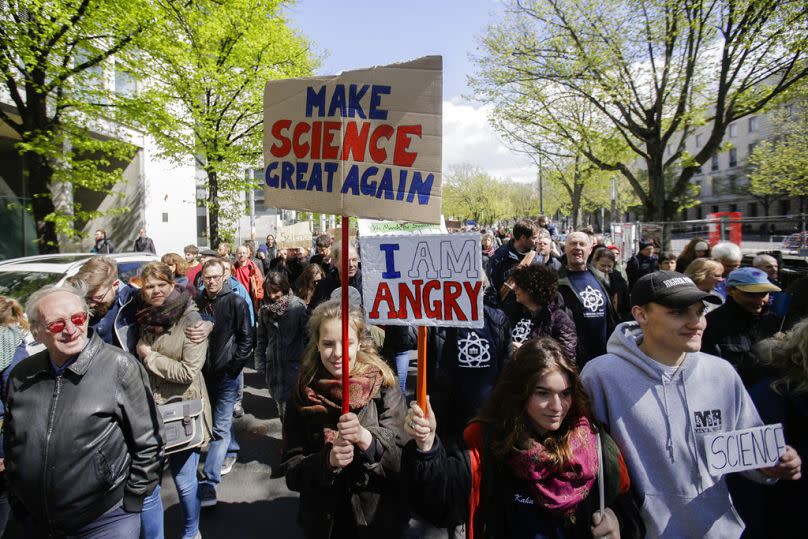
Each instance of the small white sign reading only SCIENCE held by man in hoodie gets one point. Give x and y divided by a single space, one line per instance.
745 449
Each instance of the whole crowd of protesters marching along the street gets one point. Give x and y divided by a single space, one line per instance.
576 410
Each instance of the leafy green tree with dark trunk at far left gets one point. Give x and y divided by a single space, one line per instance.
53 60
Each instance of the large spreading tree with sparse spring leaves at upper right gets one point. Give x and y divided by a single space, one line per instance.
653 70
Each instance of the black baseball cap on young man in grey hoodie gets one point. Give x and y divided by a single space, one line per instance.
669 288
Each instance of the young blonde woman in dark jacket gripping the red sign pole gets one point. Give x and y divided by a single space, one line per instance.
345 466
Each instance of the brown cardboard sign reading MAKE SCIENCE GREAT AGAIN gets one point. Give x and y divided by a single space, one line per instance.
365 143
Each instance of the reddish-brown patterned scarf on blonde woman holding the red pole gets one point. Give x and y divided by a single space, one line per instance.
321 400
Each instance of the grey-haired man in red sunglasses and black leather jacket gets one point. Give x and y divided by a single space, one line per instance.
83 440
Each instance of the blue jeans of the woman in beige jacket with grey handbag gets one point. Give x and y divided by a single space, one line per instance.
183 467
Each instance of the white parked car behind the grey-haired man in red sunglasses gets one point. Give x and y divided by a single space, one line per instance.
20 277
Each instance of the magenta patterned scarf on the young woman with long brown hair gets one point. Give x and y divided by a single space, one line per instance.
560 491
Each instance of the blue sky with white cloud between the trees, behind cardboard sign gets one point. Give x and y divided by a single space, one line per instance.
355 34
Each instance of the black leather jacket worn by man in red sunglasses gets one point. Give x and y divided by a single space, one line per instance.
79 443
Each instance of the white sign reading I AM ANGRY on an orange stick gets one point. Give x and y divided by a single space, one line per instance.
429 280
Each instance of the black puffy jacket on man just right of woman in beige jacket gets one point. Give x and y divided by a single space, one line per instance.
230 344
